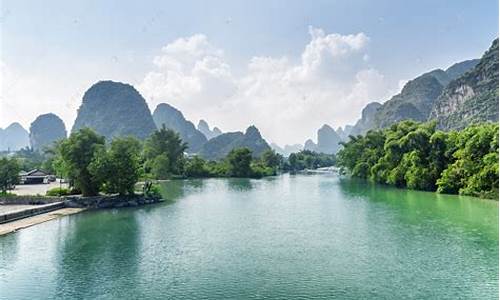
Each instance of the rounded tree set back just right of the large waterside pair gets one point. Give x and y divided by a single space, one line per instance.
167 144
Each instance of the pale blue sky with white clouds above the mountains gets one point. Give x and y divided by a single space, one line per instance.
287 67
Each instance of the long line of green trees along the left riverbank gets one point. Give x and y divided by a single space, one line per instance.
93 165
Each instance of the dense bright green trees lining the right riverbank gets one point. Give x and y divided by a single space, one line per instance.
418 156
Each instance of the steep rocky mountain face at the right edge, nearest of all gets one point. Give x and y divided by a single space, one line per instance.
472 97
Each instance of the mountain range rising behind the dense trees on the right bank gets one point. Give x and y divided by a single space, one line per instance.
465 93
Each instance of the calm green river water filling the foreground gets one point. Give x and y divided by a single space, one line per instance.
286 237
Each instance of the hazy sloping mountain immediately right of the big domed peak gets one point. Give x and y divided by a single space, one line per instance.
172 118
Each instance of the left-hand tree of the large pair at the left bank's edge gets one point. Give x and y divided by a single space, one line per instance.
75 155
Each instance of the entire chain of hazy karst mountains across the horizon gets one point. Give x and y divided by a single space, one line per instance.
465 93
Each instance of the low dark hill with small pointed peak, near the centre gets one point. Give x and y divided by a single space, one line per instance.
218 147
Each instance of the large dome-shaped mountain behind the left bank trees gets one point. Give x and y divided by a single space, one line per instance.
114 109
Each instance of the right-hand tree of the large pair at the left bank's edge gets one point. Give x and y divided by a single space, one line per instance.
118 168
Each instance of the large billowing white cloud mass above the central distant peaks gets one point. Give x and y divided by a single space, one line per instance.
287 101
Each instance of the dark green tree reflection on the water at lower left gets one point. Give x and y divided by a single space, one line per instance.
98 255
